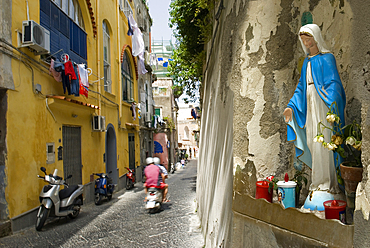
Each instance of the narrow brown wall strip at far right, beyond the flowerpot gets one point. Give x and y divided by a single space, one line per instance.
359 78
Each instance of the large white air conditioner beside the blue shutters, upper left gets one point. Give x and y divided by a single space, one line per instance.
36 37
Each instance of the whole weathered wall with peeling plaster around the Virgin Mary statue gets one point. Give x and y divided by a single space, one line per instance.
252 71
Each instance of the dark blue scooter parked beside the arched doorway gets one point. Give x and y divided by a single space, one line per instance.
104 187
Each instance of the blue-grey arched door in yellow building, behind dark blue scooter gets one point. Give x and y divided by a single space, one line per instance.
111 153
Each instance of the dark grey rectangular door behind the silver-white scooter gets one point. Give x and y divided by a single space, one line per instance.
72 164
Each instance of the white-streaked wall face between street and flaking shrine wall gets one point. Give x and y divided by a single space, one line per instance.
214 182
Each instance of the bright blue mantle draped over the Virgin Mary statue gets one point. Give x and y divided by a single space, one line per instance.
330 89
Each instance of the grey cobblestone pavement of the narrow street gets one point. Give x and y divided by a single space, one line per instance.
124 222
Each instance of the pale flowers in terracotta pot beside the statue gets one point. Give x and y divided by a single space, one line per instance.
346 142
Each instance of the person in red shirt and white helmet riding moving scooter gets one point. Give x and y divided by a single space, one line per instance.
154 177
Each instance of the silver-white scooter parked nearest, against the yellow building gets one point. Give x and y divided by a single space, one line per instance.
66 202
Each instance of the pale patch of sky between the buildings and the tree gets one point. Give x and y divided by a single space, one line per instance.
158 10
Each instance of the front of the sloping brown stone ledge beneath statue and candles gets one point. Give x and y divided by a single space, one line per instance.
331 232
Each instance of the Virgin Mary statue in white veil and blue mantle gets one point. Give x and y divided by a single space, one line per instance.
318 88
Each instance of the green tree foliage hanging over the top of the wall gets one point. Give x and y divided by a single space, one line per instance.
191 21
